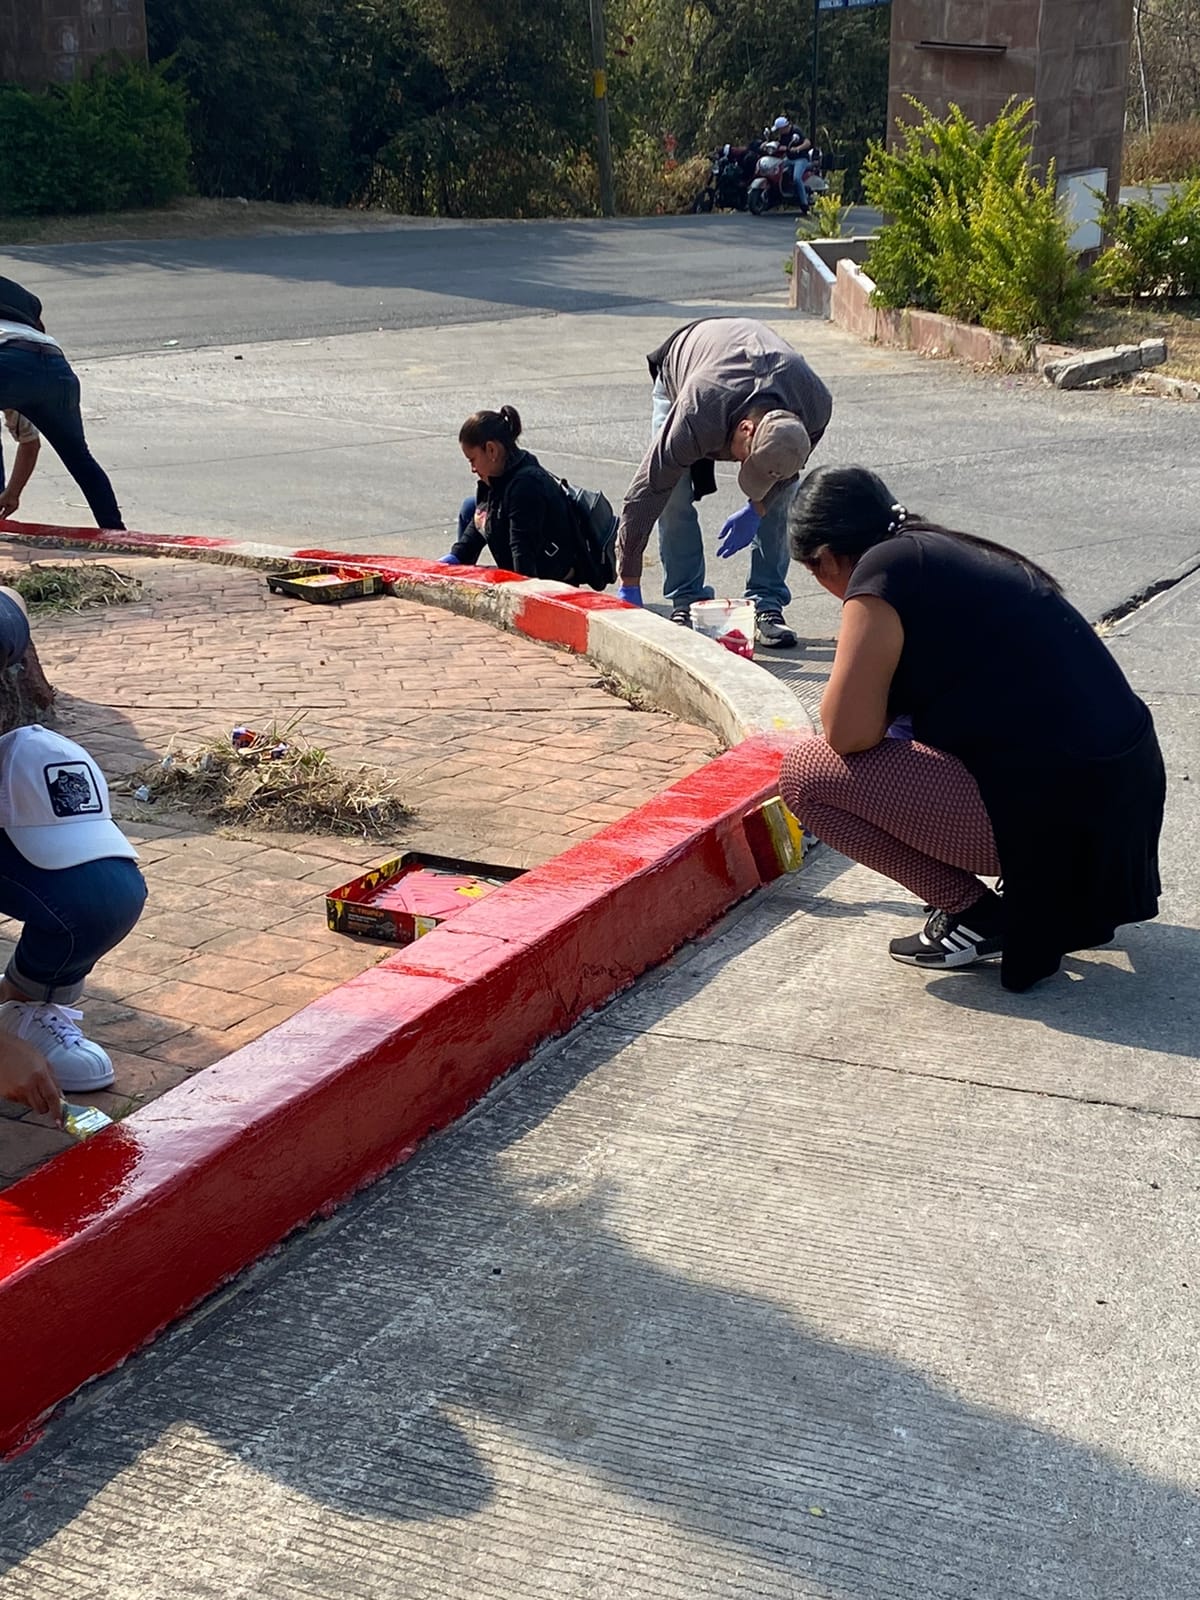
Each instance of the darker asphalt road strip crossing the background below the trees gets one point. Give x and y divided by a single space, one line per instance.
140 297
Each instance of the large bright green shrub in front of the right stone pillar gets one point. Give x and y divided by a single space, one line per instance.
970 230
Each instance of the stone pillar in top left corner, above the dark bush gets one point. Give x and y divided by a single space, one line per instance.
58 41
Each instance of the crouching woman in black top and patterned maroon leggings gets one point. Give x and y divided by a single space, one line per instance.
1030 756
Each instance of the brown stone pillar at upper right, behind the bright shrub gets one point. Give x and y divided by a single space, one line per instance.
1070 57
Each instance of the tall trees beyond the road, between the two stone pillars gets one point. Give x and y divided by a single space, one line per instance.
470 108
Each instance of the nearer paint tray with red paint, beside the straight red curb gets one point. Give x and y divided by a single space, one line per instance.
412 895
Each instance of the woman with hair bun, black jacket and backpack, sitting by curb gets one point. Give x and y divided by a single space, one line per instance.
521 511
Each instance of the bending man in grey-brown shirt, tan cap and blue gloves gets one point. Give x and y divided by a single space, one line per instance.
726 390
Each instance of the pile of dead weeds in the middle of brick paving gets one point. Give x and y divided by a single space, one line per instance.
276 783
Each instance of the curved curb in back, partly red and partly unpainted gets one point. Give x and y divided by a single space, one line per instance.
684 673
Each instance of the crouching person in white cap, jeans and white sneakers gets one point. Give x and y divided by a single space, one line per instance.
68 874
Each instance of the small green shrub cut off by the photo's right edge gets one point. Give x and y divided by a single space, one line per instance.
1154 250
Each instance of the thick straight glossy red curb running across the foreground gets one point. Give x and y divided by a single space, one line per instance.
114 1239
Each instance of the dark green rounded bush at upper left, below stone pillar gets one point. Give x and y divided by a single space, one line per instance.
105 143
